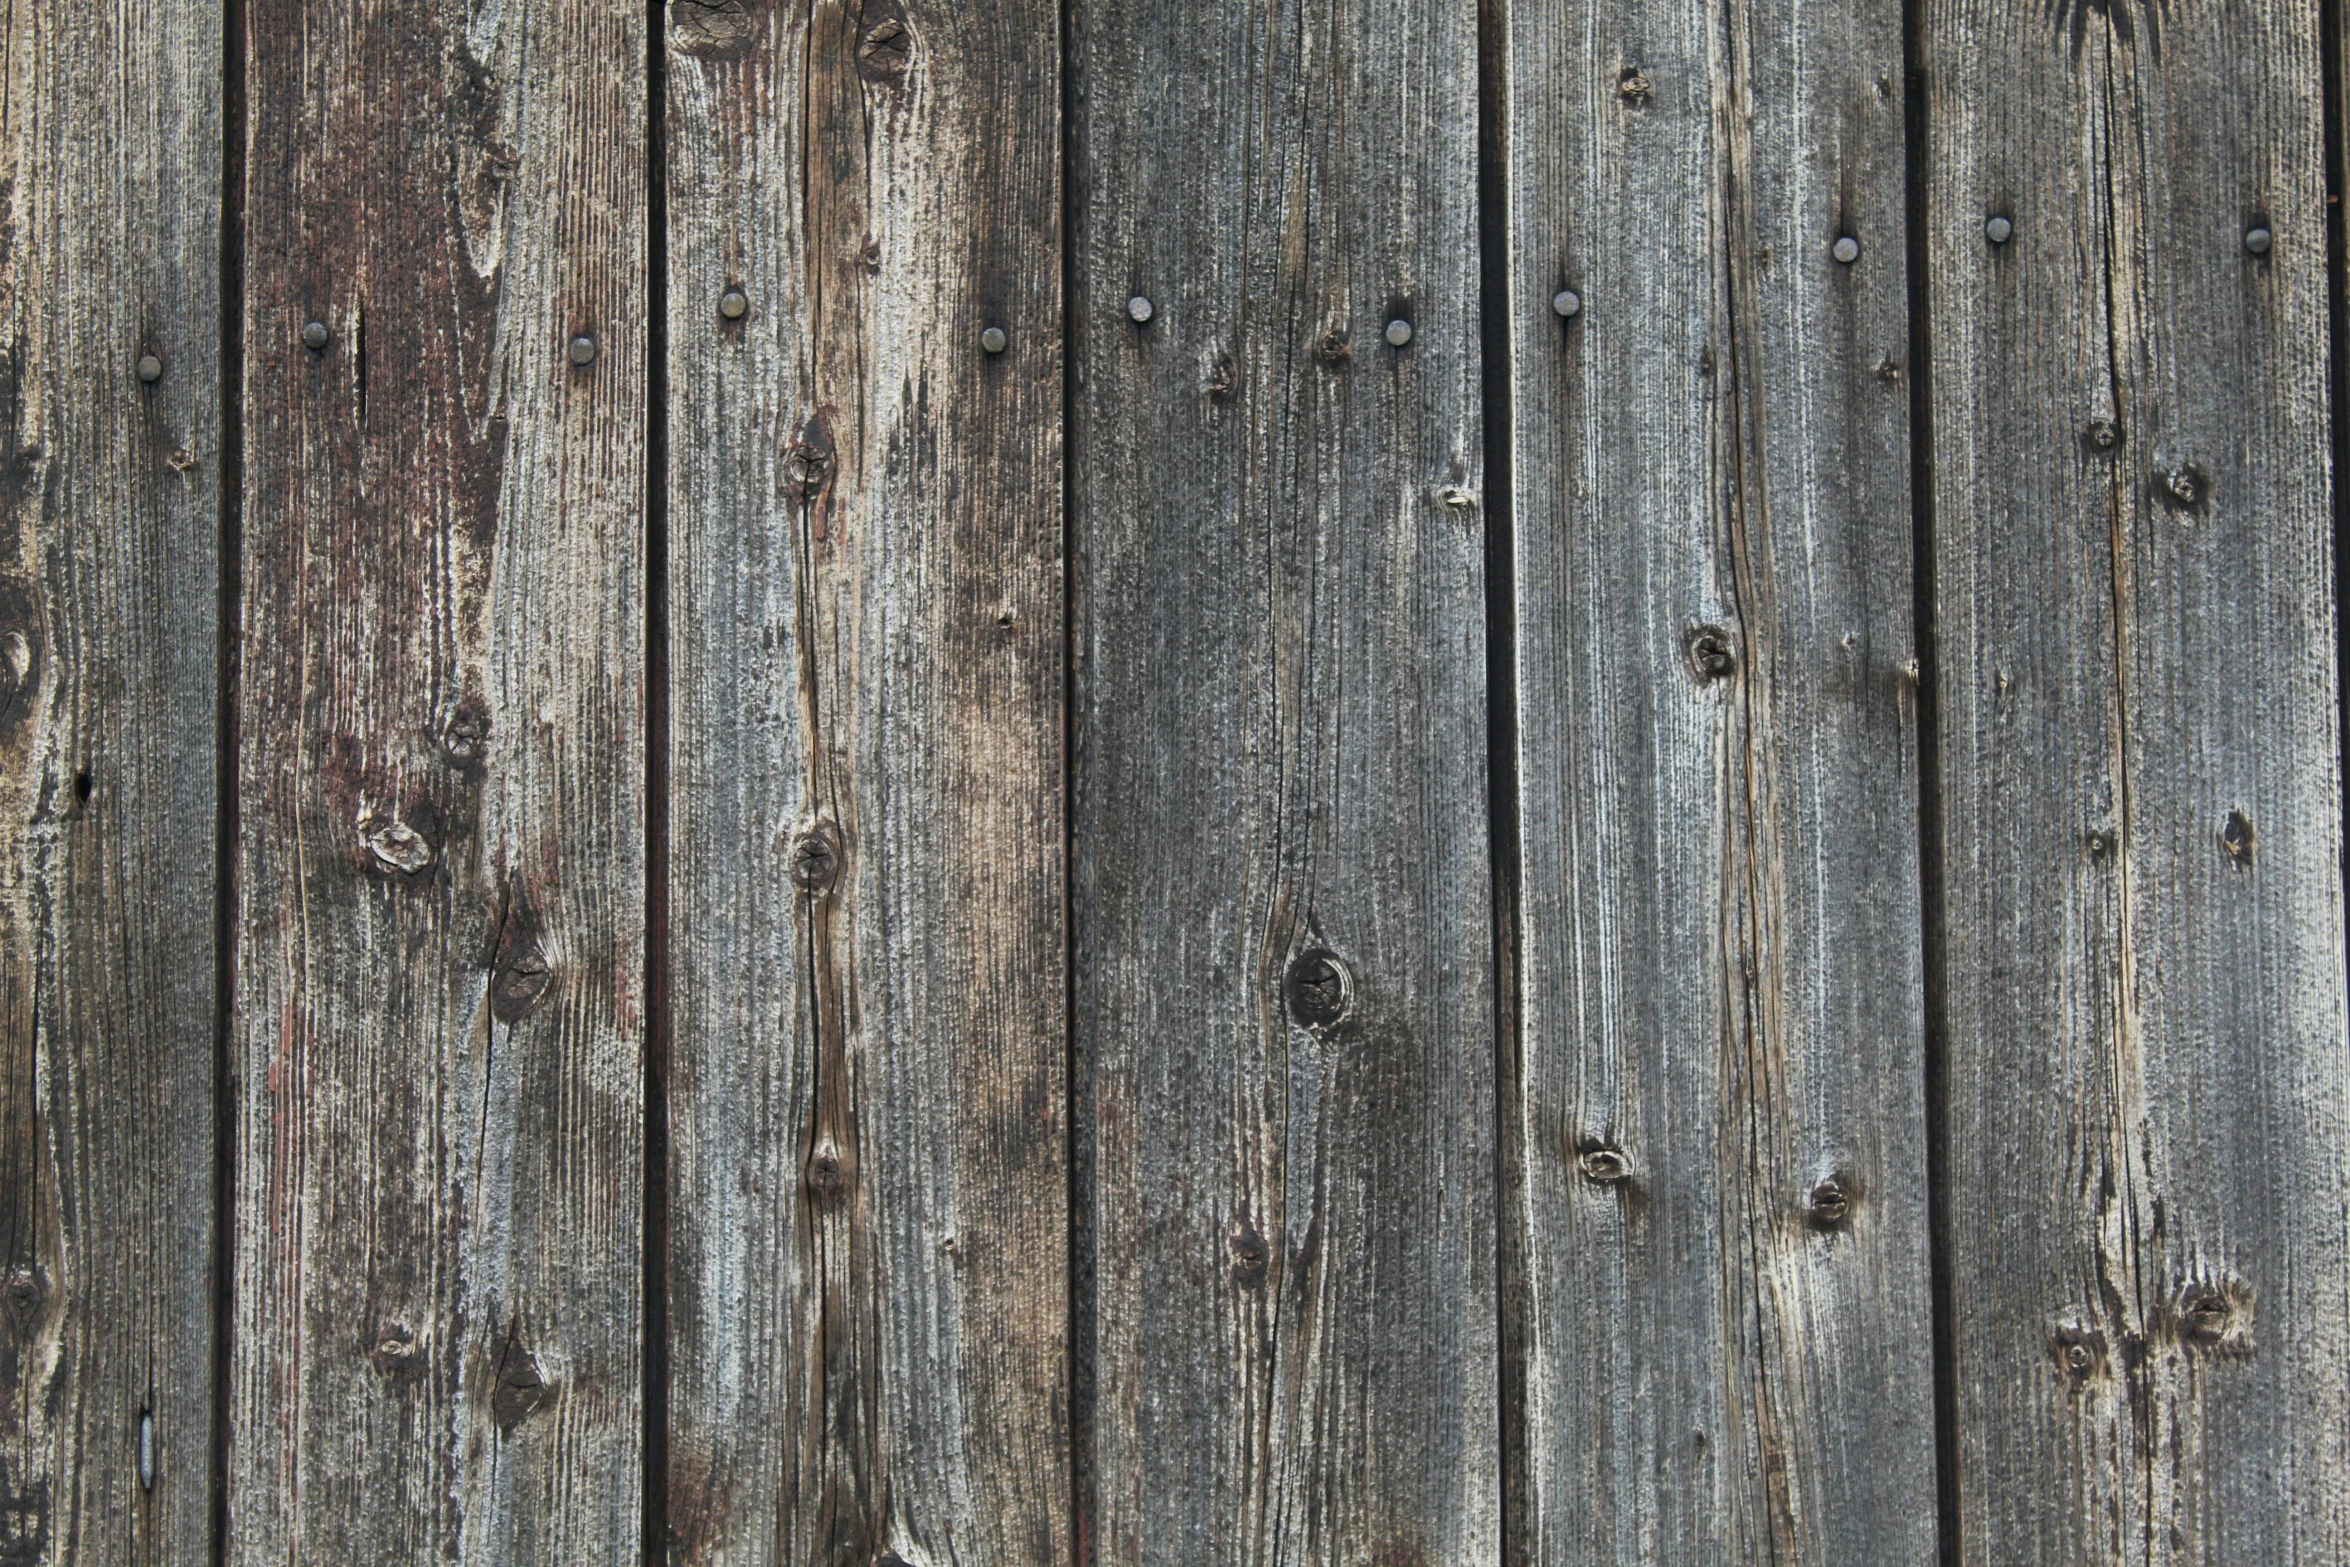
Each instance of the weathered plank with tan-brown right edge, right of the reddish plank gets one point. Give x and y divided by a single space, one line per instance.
868 1282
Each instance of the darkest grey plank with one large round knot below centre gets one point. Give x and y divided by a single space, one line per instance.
1282 830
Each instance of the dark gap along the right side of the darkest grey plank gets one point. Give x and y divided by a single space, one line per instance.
1503 760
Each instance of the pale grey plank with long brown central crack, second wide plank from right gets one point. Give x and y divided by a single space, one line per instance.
1719 1206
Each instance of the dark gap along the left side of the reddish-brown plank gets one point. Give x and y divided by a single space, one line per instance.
224 774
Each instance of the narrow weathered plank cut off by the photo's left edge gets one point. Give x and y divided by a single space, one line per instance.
109 739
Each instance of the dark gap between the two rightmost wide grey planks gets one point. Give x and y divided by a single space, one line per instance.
1931 830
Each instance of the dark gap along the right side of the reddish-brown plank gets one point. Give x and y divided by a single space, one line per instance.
657 802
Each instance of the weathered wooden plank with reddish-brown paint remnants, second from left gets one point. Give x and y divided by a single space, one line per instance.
441 946
